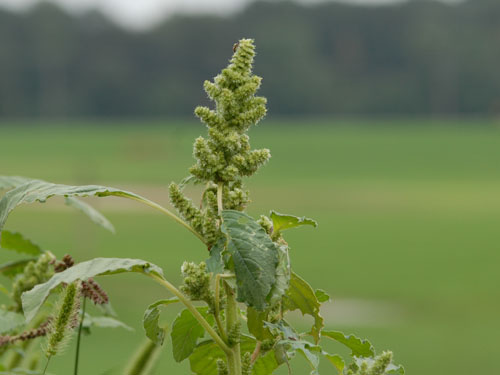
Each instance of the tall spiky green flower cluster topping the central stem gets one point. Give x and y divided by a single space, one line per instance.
225 157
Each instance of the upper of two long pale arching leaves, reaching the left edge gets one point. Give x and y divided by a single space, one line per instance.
39 191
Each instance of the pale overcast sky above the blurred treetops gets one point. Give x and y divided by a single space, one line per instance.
143 13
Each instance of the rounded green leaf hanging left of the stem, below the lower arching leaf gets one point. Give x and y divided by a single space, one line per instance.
186 331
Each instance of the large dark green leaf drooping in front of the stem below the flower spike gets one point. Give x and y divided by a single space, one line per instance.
255 257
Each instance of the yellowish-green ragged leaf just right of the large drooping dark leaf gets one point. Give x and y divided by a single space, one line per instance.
300 296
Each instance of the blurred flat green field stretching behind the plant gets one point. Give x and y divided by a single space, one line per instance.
407 246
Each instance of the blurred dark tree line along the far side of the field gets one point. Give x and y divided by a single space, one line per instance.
418 57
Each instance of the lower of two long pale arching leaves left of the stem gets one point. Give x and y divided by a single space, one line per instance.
33 299
